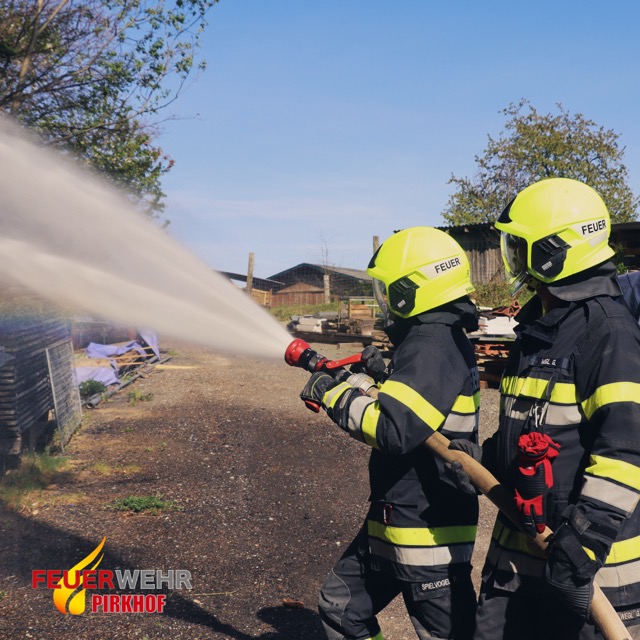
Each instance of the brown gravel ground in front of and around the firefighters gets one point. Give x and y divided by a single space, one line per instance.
268 495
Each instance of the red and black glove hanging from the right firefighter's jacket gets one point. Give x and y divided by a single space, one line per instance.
534 478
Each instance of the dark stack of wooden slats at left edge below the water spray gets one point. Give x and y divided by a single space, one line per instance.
37 377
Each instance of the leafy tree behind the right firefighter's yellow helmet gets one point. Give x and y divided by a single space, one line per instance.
534 146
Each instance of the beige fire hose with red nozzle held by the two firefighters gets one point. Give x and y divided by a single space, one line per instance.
300 354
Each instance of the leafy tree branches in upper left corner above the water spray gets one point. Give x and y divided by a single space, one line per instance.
92 76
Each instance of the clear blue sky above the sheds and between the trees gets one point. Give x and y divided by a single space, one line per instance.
318 125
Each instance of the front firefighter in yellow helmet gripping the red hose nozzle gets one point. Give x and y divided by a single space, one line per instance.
420 529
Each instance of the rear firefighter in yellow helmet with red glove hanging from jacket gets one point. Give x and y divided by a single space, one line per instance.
568 444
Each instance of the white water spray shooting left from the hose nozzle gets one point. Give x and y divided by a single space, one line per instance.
72 239
